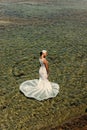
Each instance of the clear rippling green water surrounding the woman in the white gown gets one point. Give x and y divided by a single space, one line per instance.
60 28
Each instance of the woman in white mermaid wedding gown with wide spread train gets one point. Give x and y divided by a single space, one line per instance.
41 88
